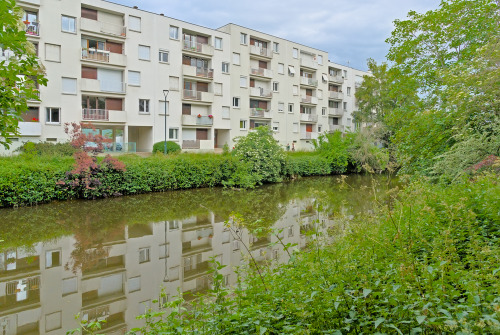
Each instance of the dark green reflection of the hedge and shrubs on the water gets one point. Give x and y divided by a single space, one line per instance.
90 221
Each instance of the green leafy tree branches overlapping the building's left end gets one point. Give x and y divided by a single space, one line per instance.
19 74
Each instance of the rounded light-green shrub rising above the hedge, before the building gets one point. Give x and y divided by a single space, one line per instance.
264 155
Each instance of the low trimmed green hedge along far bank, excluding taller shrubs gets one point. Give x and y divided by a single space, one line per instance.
28 180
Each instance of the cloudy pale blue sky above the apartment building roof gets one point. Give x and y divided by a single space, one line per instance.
351 31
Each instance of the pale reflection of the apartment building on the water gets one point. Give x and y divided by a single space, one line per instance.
43 287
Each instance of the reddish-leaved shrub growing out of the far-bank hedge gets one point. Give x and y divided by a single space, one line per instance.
90 178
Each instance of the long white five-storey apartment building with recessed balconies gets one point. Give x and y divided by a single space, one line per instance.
111 65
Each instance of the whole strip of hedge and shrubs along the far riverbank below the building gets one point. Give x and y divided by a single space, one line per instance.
36 177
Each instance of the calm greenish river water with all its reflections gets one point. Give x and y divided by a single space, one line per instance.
109 259
